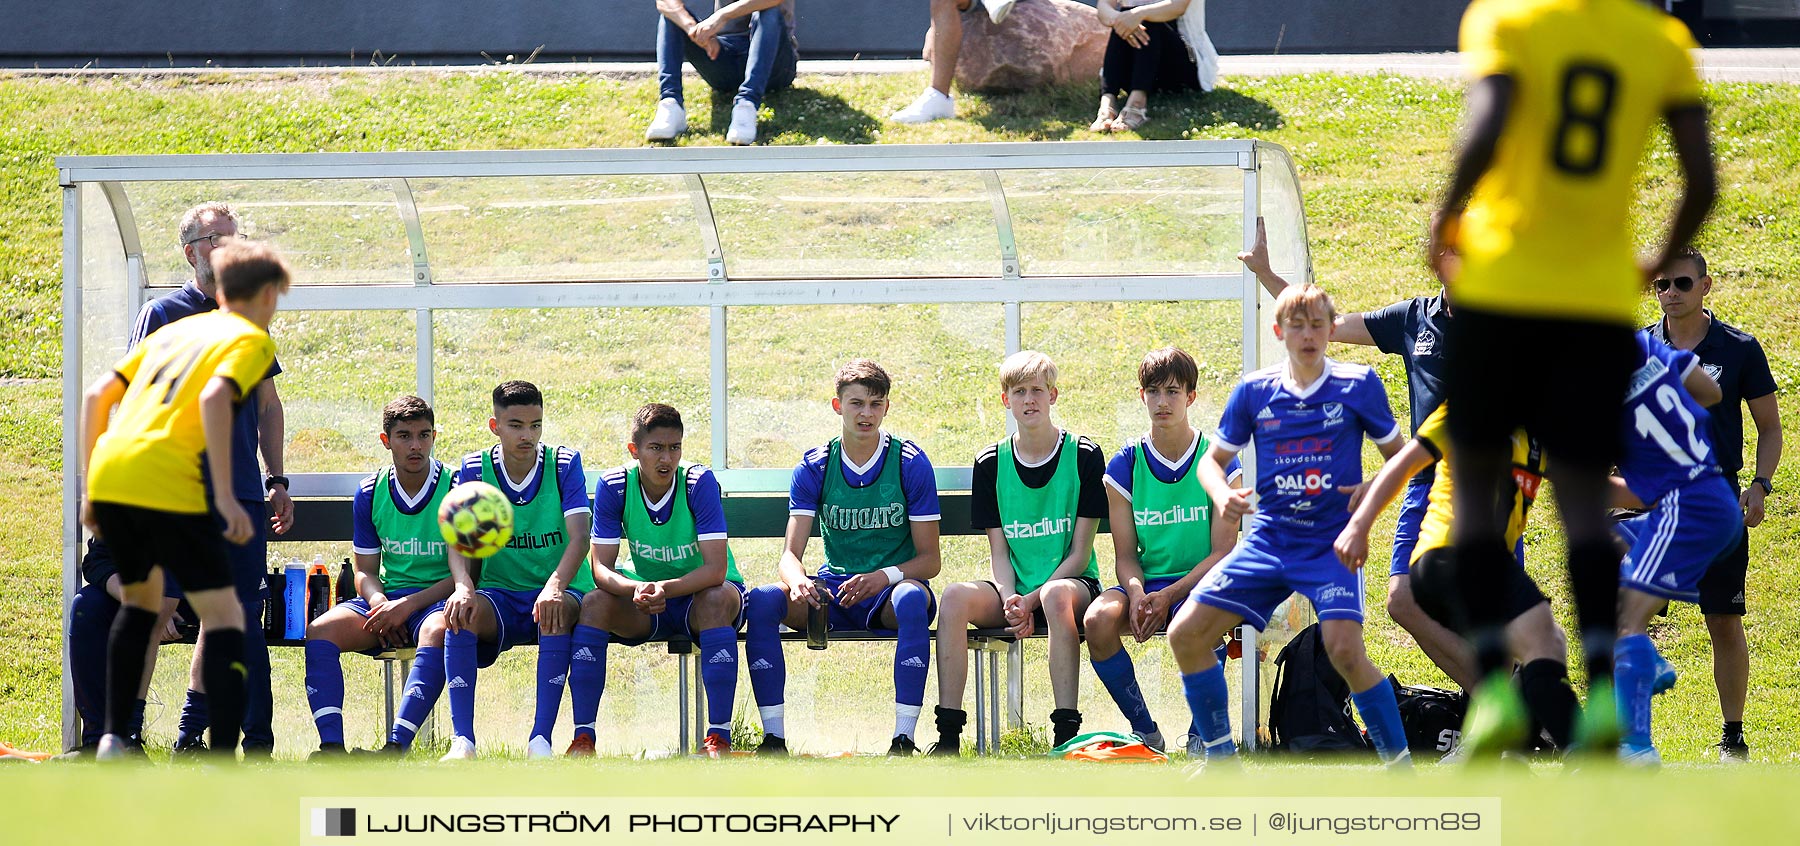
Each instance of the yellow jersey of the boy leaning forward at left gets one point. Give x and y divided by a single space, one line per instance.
152 453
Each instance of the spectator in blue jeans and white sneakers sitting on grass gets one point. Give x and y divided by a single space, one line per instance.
746 46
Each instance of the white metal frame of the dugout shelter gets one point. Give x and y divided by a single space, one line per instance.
105 278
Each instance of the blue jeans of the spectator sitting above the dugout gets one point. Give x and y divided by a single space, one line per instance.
750 64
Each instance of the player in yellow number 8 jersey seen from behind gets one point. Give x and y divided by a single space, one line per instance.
1534 244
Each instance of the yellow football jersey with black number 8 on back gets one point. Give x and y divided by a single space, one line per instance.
1547 231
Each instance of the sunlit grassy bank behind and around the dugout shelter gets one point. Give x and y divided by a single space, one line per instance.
1371 150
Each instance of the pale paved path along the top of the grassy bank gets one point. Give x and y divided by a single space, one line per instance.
1725 64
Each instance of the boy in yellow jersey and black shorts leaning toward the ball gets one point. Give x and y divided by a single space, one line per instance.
177 393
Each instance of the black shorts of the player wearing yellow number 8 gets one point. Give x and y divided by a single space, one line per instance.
1561 381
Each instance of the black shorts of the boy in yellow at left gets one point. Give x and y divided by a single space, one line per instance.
190 548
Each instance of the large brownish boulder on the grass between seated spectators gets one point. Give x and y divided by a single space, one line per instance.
1043 42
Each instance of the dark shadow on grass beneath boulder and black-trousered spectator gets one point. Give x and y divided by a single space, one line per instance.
1056 114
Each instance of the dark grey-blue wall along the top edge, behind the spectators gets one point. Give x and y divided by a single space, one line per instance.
138 33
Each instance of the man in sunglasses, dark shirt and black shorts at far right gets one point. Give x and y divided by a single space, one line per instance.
1736 361
